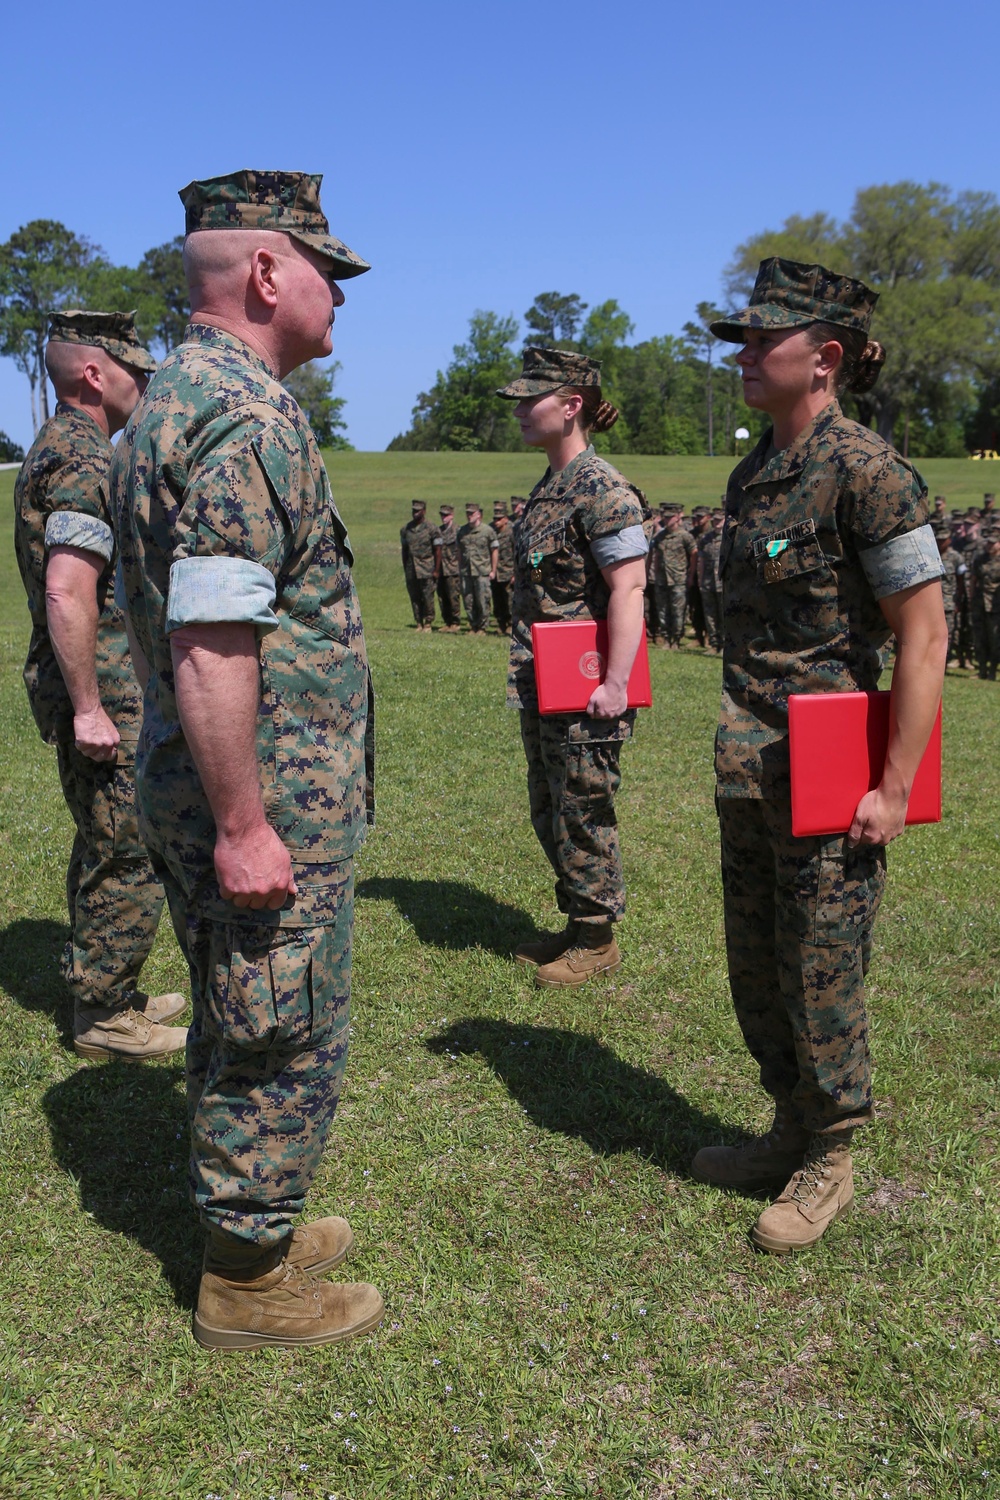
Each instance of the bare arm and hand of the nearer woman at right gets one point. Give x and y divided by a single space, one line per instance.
918 622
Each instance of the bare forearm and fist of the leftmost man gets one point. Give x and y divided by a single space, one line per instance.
71 613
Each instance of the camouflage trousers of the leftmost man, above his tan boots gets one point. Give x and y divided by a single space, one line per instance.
113 896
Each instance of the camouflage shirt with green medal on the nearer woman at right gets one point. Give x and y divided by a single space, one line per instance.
800 610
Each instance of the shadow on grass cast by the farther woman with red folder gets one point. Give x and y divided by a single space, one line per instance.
452 914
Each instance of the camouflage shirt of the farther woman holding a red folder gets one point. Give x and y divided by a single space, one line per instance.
555 572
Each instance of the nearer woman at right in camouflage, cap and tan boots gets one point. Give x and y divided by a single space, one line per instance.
825 557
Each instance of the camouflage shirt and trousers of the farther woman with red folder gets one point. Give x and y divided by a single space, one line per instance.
576 523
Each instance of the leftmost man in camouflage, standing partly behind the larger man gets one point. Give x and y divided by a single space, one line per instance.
83 691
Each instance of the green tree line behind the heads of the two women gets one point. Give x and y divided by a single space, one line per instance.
932 256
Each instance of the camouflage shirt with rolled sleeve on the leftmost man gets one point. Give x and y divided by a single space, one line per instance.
62 478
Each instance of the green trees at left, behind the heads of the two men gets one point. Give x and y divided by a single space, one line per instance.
47 268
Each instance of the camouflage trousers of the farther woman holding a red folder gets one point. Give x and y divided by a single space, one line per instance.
573 773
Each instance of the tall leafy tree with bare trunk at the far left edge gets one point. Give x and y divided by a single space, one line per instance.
43 269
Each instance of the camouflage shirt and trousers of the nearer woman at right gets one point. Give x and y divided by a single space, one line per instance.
815 536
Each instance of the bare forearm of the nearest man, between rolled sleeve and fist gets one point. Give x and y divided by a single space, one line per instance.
218 697
